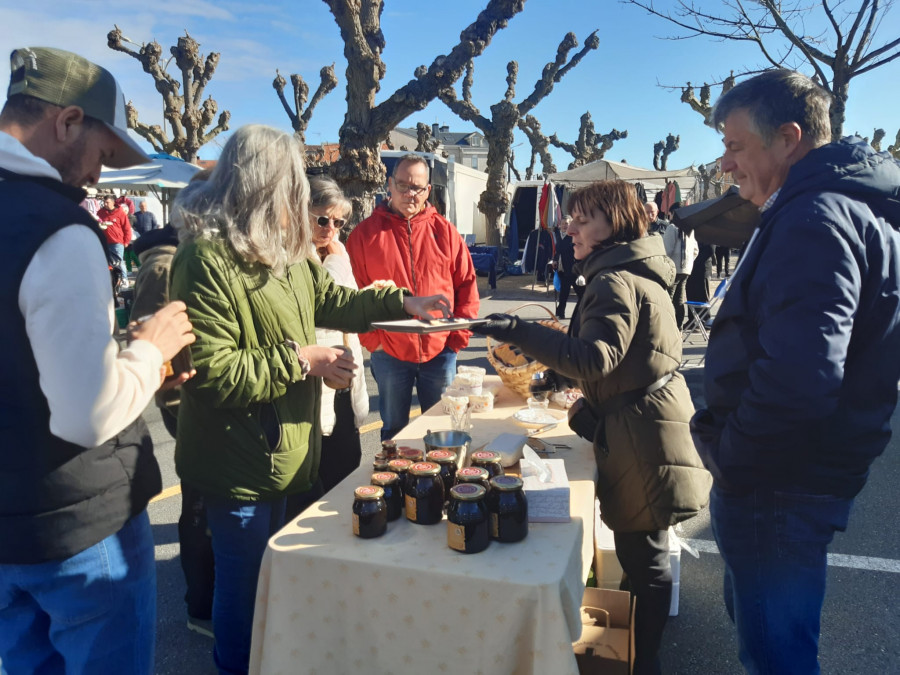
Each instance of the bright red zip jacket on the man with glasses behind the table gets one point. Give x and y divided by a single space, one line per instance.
427 255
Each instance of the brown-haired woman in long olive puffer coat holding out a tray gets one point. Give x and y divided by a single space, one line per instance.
623 351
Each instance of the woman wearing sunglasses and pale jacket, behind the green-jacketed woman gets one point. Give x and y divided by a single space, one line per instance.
343 410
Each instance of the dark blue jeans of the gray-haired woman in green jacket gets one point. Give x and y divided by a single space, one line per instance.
240 532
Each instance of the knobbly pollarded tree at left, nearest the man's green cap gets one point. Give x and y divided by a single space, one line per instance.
188 114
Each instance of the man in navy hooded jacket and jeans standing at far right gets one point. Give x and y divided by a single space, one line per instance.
803 361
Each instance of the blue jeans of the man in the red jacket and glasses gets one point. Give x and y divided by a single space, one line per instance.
395 380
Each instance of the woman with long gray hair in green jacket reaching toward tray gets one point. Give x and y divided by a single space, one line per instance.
248 426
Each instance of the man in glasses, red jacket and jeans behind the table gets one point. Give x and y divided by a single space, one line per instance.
406 241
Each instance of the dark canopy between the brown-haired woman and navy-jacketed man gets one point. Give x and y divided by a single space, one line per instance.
728 220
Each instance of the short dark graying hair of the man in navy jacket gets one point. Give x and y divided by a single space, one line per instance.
779 97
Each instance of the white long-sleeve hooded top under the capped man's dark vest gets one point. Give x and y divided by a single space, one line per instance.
93 389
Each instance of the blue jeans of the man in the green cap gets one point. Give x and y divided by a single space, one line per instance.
92 613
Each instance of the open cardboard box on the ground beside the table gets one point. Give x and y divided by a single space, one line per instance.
606 644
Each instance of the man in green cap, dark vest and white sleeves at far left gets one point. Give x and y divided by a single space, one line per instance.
77 575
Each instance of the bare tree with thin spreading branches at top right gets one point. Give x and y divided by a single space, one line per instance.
778 28
